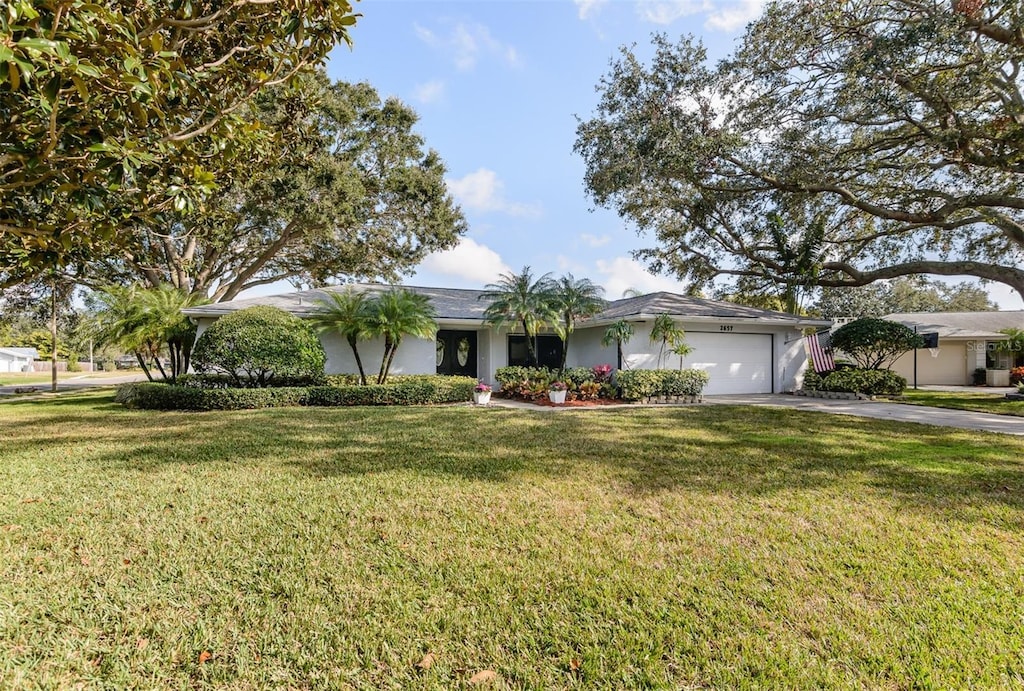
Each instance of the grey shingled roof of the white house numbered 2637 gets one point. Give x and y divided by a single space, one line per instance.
455 305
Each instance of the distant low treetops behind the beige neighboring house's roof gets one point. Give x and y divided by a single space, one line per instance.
903 295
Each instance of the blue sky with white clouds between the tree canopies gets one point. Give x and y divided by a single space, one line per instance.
498 87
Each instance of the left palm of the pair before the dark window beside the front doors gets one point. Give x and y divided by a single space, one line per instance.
518 298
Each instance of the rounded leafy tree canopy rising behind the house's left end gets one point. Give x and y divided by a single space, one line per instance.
351 191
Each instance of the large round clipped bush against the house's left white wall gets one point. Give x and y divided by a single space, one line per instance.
260 347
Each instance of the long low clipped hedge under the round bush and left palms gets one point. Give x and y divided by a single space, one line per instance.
424 391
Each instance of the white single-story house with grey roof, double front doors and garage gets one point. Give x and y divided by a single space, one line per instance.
745 351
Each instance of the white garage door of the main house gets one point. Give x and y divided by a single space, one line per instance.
737 363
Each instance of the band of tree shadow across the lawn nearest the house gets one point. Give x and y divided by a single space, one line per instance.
734 450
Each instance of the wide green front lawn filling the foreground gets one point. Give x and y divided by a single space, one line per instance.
324 548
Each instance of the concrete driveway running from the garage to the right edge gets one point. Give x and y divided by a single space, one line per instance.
940 417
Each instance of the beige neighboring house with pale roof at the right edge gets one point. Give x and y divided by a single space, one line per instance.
968 341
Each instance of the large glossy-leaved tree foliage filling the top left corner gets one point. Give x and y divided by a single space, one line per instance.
119 111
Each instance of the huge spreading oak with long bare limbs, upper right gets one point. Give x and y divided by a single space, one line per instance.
882 137
